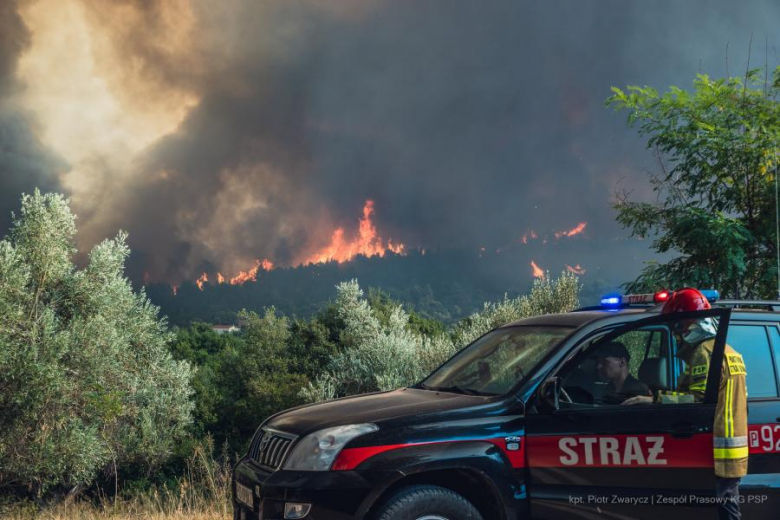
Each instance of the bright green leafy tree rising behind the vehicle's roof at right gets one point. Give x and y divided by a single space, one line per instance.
718 151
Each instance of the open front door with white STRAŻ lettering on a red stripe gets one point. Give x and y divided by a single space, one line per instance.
589 456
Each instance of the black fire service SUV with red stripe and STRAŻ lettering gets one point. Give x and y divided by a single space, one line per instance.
519 424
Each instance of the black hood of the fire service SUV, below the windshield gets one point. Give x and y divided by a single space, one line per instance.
369 408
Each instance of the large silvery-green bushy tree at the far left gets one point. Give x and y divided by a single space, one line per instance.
86 378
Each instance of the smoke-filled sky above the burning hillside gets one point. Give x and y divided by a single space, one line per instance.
221 132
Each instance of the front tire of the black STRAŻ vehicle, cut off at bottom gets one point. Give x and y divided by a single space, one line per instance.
427 503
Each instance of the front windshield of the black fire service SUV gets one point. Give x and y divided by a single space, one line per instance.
496 362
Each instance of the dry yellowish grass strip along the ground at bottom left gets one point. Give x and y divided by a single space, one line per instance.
202 493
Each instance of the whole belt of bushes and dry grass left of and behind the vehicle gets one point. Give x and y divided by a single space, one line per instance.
106 412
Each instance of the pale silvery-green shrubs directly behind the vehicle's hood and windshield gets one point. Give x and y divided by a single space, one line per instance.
383 350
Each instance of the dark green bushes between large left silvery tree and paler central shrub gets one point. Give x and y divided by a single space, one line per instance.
240 380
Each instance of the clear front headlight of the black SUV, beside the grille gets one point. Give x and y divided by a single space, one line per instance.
318 450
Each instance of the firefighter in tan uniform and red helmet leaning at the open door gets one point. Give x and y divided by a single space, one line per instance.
730 447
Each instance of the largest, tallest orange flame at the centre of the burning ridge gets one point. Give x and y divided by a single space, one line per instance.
368 242
